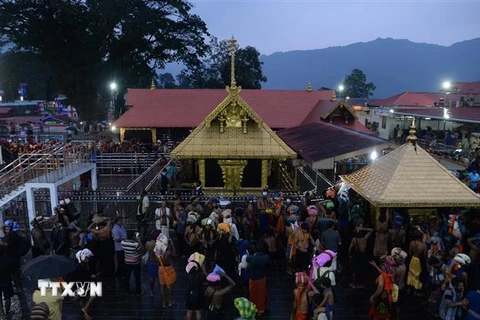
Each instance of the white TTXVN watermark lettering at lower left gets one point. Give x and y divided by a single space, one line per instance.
71 289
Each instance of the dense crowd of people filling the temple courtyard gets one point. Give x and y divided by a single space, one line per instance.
227 253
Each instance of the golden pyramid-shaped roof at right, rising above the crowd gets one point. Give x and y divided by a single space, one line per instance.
410 177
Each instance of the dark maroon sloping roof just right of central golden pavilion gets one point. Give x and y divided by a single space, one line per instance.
320 140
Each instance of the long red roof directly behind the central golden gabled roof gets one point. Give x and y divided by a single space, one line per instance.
185 108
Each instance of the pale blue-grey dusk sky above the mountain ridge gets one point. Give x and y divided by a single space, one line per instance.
272 26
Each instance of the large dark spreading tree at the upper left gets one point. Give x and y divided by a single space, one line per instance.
88 44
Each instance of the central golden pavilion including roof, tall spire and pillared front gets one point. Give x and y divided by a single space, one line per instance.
233 147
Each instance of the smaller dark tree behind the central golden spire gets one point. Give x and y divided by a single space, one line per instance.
215 70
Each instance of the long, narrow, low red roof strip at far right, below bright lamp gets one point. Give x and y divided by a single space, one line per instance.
463 114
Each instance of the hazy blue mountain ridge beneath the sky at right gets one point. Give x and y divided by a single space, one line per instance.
394 65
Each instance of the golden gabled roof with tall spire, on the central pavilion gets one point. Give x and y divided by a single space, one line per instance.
233 130
